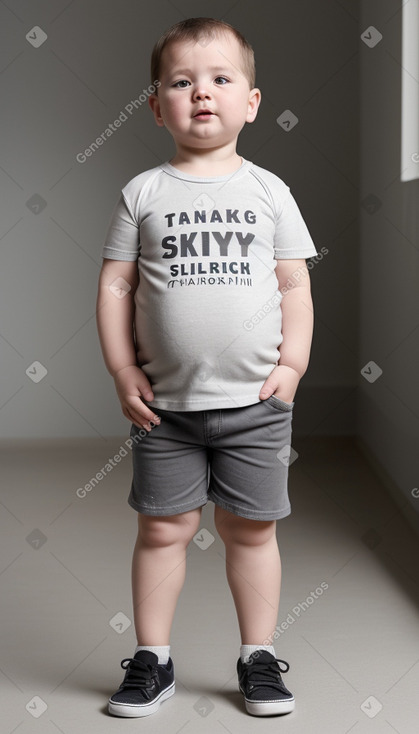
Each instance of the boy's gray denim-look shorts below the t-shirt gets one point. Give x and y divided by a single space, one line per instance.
235 457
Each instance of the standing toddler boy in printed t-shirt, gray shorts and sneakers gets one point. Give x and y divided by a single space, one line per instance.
205 258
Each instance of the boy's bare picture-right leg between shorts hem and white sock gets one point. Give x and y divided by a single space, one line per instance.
253 568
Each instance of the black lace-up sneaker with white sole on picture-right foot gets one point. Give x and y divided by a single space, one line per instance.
262 686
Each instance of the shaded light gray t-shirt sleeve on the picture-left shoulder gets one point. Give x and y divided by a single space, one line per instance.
122 241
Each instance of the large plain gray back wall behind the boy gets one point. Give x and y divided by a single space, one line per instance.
59 97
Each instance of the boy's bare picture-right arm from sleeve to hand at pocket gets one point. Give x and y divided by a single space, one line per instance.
297 330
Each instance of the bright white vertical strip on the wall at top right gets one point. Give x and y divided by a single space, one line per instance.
410 91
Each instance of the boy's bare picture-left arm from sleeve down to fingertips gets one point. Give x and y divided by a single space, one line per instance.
114 318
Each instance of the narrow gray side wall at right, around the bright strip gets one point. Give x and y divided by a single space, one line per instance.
388 409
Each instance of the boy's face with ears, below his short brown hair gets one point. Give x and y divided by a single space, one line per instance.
197 76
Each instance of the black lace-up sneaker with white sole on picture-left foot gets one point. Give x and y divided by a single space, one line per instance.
145 686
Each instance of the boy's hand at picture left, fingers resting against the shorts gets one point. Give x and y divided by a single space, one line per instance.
131 384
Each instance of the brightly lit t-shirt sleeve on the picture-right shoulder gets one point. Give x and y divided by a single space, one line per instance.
292 238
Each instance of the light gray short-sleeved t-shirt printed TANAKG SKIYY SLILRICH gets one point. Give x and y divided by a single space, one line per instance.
207 308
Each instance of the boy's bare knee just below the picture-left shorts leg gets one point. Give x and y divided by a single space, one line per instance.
163 531
